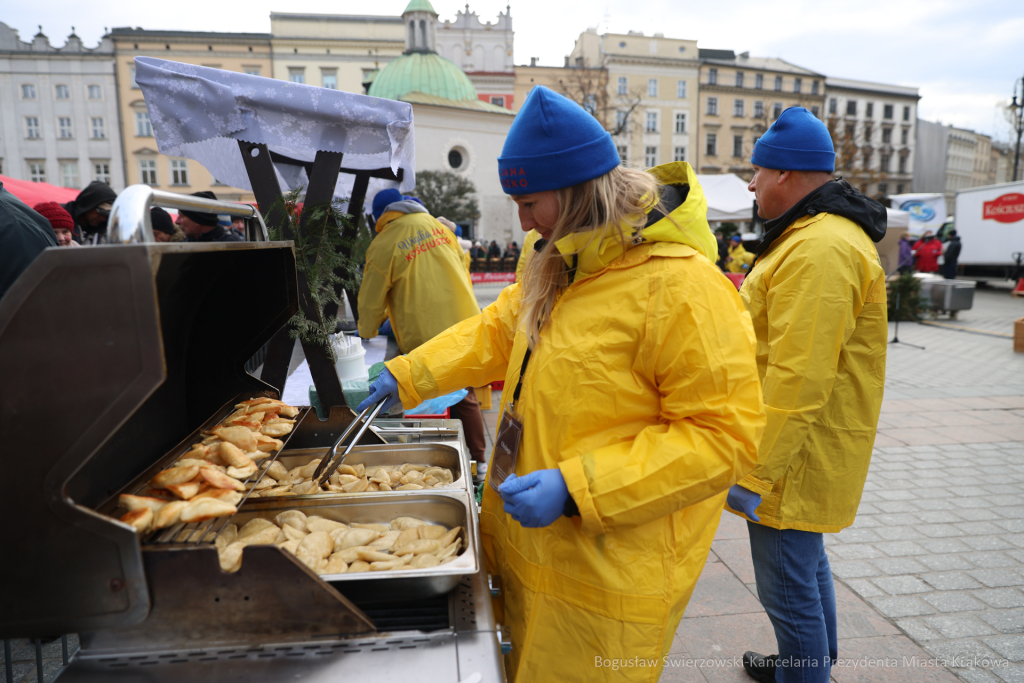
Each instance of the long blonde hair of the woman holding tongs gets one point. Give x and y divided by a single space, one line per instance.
618 201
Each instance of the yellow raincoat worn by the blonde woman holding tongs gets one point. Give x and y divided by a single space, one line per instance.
644 392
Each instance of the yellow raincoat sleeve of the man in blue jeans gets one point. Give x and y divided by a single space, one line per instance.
814 300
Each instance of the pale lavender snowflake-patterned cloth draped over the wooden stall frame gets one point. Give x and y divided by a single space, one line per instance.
200 113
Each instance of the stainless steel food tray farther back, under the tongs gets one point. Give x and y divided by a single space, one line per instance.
440 455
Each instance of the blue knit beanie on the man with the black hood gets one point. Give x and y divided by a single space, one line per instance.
797 142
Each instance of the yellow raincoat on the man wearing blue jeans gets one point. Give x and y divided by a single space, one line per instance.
818 298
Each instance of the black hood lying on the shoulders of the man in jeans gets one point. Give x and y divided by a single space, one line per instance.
837 198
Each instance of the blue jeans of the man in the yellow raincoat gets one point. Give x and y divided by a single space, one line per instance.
795 587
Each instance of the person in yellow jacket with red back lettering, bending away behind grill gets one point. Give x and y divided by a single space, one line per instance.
416 278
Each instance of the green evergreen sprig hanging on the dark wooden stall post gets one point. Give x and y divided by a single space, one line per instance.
319 254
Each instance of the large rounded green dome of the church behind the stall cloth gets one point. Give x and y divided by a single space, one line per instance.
423 72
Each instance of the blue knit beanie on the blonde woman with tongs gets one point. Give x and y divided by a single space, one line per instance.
553 144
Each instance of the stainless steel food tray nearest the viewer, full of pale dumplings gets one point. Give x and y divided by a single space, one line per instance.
450 509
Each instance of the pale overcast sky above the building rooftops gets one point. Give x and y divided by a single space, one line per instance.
963 55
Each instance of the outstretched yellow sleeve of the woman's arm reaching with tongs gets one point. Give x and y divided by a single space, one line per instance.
471 354
